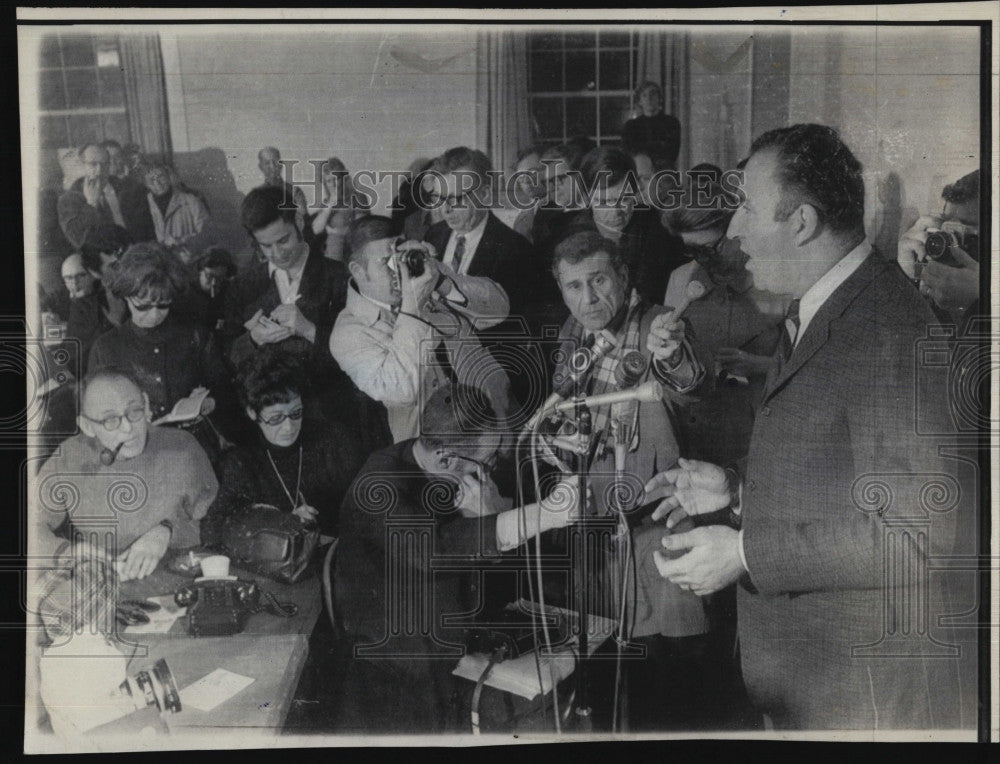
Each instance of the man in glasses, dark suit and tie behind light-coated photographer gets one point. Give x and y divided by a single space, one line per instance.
474 242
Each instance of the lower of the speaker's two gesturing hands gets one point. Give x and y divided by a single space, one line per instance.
712 562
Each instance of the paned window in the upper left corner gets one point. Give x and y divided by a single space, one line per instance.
81 91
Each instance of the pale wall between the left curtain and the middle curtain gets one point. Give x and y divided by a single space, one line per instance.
313 95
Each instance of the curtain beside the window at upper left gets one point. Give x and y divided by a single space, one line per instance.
146 94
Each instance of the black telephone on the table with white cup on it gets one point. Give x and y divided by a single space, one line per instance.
220 607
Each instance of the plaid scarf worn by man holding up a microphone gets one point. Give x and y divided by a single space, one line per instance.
602 378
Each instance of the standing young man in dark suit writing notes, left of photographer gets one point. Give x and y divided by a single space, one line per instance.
291 297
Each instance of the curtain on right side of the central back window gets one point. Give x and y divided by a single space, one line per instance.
663 57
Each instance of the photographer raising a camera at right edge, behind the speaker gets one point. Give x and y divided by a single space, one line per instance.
940 253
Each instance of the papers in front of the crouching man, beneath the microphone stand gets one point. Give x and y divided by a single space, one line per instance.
520 676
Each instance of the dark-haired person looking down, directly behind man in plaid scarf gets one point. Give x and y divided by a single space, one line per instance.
650 251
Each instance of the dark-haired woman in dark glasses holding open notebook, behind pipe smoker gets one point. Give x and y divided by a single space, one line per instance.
170 357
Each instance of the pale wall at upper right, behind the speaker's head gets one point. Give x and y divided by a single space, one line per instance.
907 103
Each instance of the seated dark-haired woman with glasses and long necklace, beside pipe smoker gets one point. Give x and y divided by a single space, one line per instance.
294 463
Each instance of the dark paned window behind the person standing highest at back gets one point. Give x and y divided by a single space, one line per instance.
581 83
